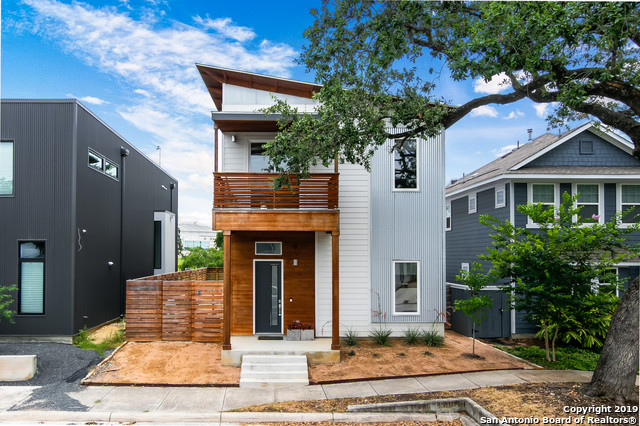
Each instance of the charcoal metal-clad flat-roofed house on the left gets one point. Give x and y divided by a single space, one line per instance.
81 210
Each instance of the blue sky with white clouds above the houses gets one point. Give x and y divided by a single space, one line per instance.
132 62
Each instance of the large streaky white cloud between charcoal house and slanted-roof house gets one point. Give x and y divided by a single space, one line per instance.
153 60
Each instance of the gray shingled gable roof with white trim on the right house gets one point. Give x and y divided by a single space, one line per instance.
513 163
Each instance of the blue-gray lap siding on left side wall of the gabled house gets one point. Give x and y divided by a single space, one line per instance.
467 237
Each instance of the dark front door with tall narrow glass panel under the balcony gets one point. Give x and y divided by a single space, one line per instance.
268 296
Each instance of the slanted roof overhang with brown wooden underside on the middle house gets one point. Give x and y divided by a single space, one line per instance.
215 77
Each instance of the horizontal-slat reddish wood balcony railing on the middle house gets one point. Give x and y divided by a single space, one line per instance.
255 191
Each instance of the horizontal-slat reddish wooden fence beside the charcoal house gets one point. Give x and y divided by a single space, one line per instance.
162 308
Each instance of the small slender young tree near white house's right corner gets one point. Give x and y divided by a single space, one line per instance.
475 307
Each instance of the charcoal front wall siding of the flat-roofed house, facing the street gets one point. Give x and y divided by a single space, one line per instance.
40 208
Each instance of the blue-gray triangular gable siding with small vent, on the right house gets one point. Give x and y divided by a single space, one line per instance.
568 154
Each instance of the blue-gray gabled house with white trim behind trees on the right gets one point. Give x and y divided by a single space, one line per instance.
594 163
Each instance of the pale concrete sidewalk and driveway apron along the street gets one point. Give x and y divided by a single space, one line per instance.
183 404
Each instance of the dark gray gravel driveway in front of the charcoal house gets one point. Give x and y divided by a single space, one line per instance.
60 369
